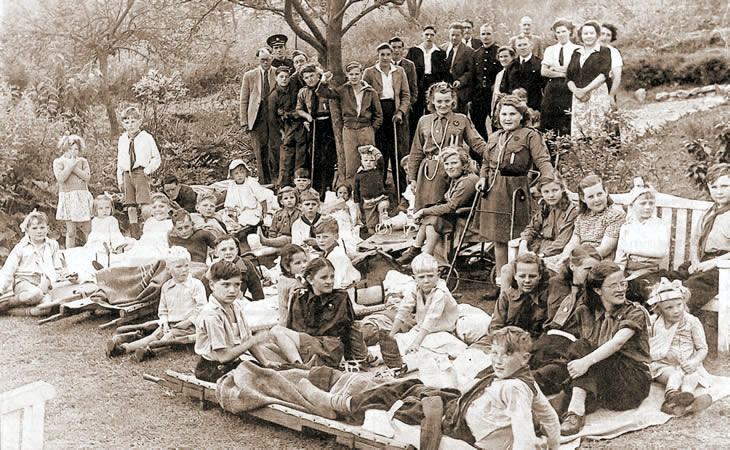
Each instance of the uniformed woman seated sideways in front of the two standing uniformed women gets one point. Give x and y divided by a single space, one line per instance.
439 219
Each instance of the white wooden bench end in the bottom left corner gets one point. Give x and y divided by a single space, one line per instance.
22 415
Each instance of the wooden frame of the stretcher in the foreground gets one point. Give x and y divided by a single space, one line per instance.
347 435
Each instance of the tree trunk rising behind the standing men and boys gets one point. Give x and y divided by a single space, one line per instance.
334 64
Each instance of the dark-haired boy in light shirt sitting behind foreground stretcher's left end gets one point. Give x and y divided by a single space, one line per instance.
222 334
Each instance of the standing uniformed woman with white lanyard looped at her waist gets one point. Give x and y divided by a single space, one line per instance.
435 132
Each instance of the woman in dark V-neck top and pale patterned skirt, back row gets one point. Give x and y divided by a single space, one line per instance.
587 74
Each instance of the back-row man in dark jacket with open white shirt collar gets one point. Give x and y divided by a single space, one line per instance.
430 68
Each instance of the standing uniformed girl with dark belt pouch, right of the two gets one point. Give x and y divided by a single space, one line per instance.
512 153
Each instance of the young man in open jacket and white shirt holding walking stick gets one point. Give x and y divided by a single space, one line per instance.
391 83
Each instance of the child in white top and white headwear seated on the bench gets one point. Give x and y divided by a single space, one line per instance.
643 244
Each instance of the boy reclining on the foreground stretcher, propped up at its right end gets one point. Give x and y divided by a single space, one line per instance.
496 412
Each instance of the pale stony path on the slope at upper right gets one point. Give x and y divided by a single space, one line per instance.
654 115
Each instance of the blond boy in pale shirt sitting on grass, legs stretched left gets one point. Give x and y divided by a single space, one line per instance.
181 299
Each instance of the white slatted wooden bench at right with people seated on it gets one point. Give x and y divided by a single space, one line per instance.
683 216
